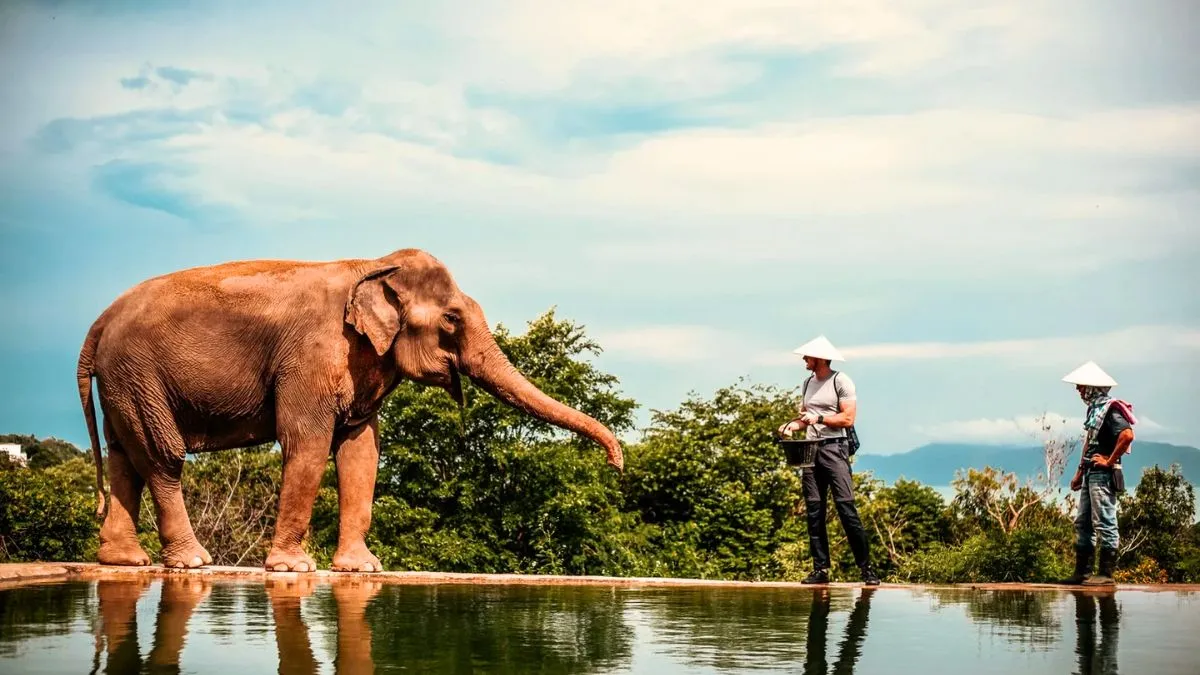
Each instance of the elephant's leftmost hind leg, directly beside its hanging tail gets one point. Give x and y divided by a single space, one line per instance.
119 534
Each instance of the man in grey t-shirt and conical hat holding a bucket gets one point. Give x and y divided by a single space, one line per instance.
827 411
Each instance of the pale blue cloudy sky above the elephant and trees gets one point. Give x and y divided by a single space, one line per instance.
969 200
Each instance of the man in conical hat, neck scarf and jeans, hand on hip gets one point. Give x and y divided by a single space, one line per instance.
1108 433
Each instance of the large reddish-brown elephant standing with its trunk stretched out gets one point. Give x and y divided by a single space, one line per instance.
297 353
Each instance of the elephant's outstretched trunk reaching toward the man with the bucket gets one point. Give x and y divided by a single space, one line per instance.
489 368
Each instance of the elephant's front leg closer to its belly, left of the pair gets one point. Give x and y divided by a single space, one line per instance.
304 463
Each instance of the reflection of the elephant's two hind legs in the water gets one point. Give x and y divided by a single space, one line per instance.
118 635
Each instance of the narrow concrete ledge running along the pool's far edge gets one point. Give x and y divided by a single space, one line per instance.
22 574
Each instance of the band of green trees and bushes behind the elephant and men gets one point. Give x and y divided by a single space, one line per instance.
705 494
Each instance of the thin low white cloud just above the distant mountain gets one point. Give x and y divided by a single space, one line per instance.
1021 429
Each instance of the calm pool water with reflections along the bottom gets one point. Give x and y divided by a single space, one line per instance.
185 624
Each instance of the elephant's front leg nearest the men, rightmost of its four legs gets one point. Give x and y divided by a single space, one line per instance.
358 459
